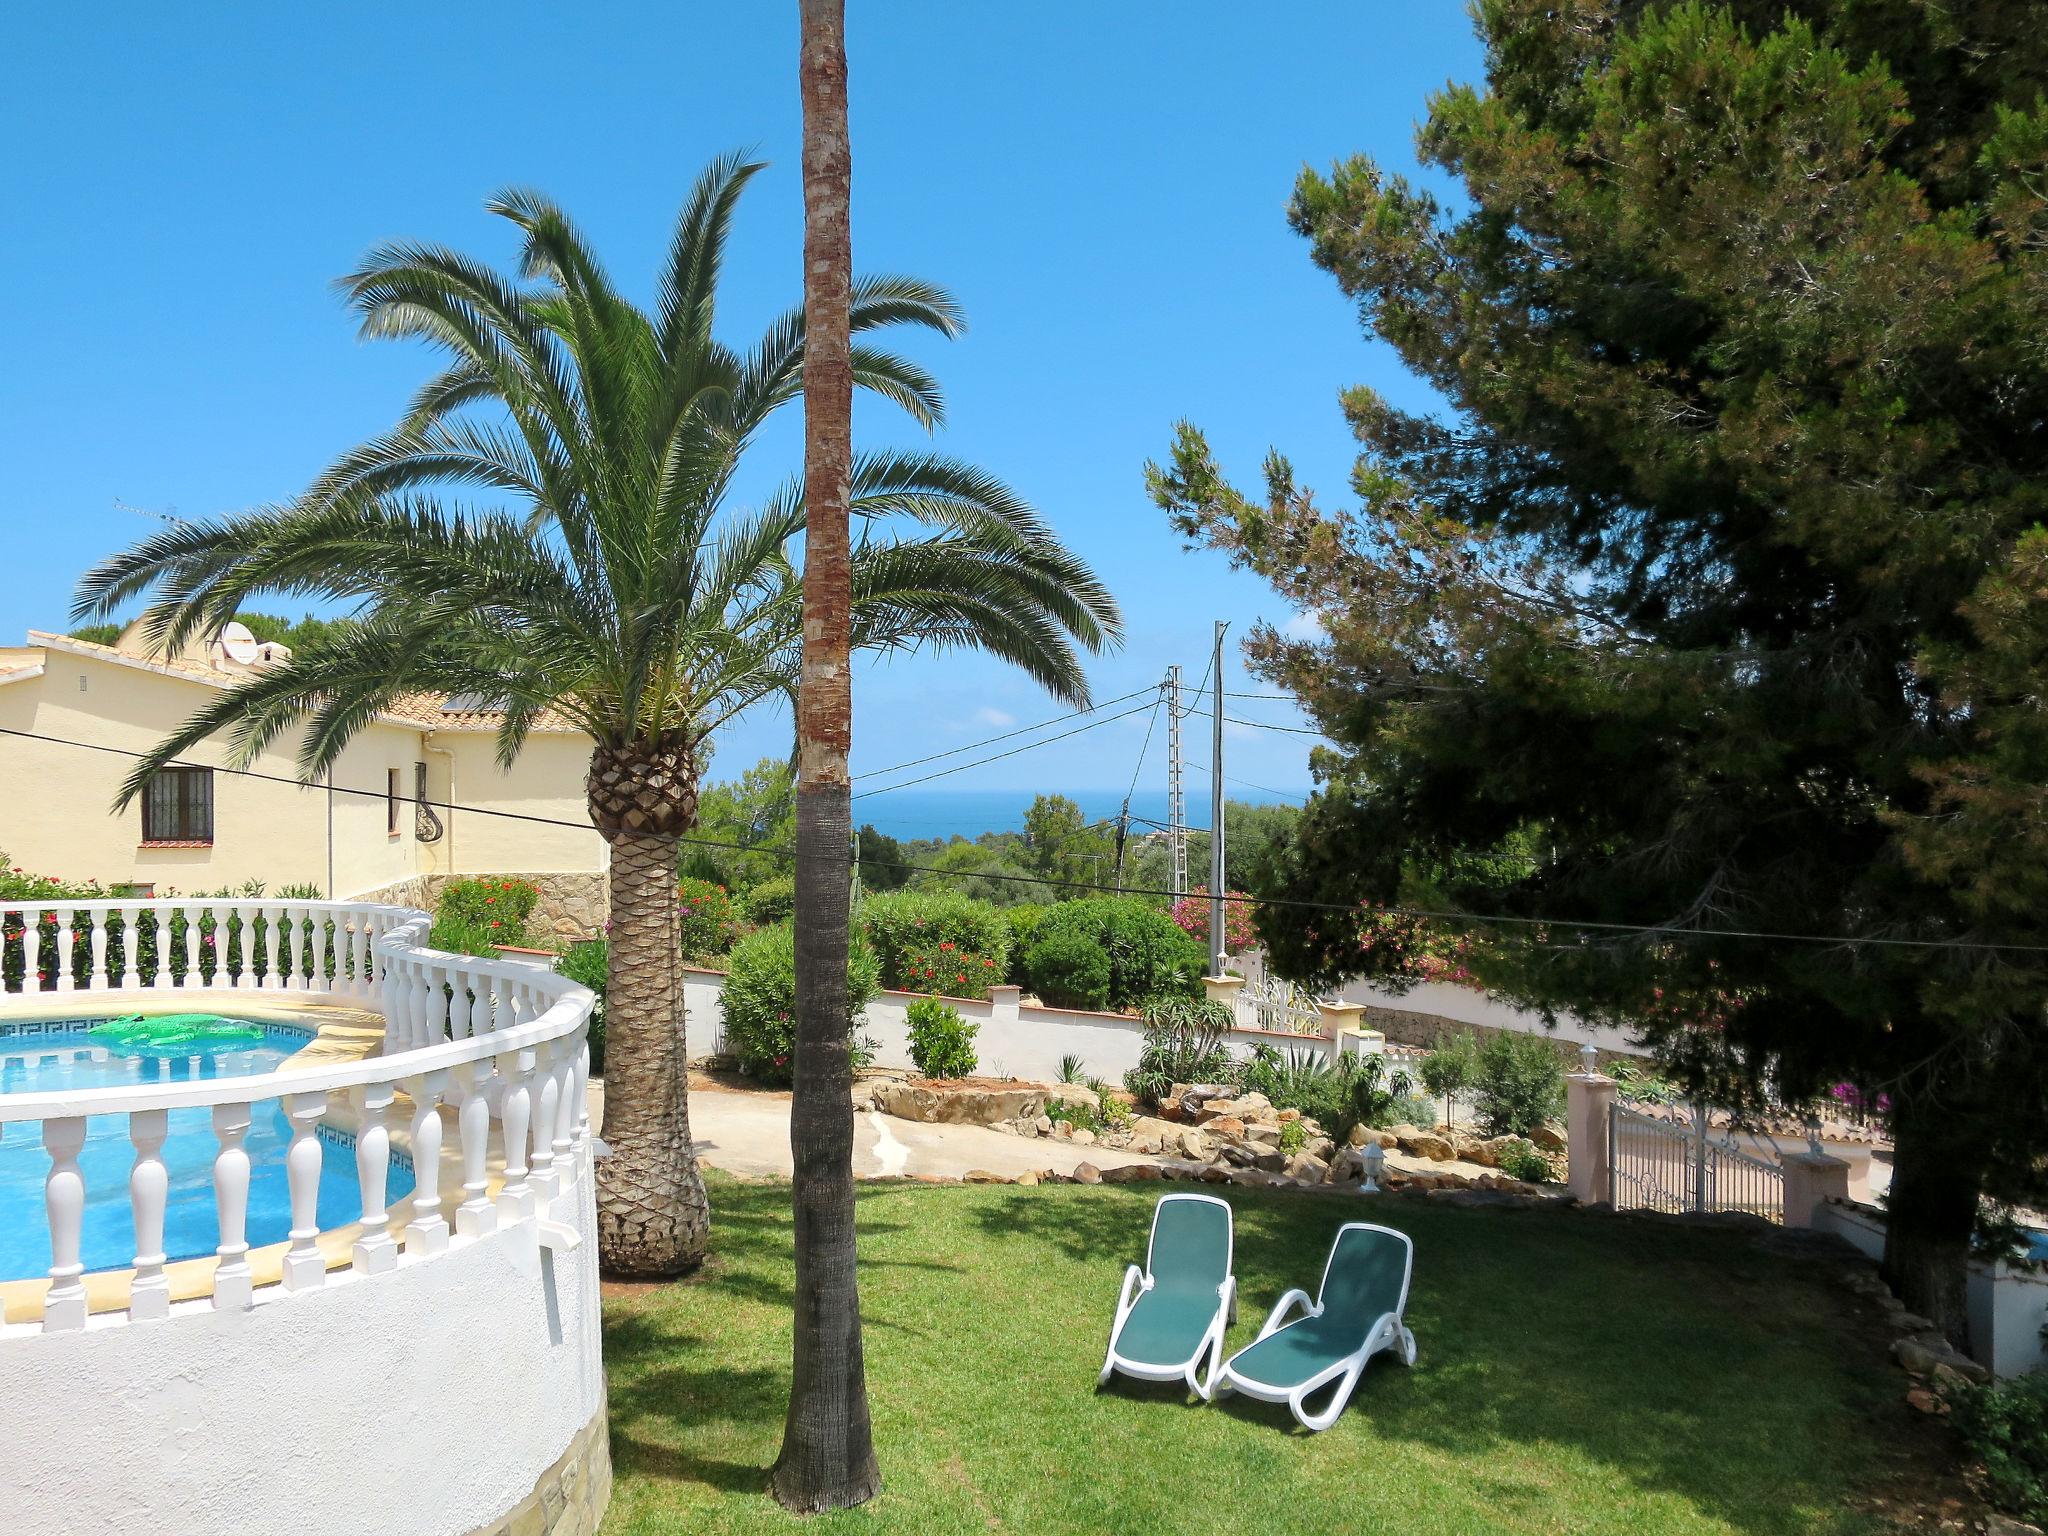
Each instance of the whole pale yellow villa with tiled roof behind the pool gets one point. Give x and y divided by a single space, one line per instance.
417 798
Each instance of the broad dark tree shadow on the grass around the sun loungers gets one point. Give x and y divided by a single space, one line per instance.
1689 1361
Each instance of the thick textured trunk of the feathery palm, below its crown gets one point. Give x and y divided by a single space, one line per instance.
652 1211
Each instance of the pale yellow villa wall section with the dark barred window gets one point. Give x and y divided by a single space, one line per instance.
56 800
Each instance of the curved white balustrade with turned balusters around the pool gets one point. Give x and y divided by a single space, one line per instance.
486 1037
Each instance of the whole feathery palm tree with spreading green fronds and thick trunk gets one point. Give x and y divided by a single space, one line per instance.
605 579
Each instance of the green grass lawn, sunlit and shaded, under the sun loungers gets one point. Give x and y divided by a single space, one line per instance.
1578 1375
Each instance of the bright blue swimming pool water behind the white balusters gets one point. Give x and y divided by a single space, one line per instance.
52 1058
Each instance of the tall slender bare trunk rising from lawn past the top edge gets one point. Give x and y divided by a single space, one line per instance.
828 1449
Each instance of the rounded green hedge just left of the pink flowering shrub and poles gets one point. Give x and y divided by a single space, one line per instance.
1138 955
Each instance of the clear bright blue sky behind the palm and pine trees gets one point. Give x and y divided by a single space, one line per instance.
1103 187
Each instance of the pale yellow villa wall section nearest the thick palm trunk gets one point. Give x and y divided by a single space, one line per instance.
548 781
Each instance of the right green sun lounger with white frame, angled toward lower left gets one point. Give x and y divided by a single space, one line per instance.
1355 1316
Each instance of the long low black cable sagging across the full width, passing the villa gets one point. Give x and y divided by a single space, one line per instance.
1467 919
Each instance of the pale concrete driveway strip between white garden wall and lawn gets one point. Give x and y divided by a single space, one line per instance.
746 1134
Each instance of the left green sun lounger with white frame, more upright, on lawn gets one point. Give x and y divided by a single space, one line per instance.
1172 1312
